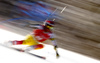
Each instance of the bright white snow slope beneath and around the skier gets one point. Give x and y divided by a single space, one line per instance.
11 56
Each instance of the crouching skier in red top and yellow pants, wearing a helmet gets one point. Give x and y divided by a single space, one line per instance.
37 37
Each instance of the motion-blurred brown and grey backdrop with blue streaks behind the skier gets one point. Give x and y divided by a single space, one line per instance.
77 22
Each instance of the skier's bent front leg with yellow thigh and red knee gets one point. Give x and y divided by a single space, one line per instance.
32 42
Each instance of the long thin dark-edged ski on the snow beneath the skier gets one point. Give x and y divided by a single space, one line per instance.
38 56
